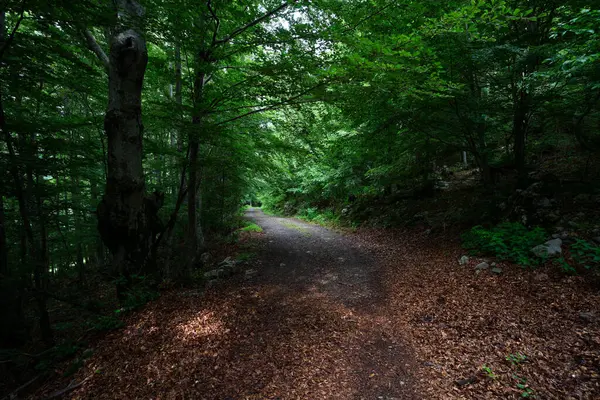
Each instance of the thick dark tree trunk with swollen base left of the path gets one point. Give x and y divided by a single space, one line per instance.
124 212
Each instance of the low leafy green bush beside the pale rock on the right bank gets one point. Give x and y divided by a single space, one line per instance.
510 241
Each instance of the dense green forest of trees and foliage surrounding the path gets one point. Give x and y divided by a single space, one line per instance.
134 132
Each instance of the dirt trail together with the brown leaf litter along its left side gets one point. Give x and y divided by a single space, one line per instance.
305 326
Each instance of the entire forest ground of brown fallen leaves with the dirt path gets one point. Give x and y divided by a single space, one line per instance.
374 314
